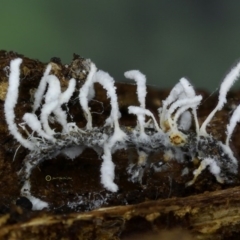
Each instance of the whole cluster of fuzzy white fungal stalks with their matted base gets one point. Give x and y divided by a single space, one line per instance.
170 134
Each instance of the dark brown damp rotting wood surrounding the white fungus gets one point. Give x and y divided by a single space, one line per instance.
80 208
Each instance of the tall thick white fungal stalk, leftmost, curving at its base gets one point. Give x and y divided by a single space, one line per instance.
11 101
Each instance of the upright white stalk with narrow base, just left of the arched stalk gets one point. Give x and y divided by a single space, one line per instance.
85 96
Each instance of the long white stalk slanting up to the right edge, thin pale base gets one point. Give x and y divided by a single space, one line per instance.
228 81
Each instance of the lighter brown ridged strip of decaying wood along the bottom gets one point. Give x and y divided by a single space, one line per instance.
211 215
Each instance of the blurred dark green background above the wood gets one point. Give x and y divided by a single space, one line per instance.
165 39
